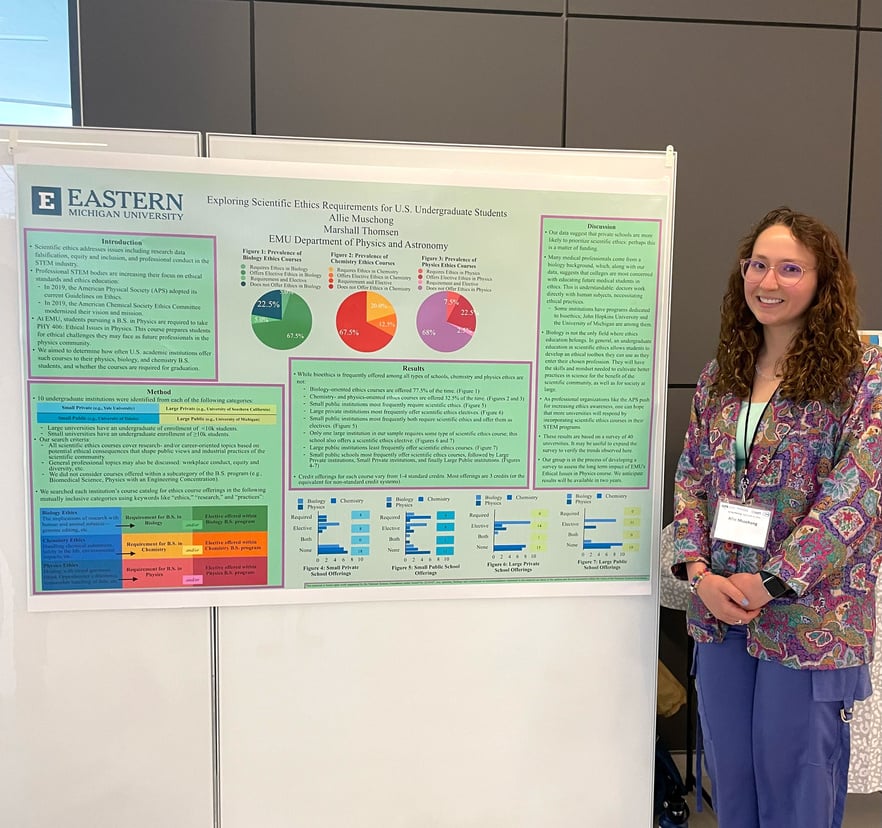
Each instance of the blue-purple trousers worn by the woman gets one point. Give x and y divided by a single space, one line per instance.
777 754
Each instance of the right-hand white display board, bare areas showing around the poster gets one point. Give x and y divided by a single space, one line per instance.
504 713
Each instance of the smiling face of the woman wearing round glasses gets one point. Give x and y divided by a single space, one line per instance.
774 305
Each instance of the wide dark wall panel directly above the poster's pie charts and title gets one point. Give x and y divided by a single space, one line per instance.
405 74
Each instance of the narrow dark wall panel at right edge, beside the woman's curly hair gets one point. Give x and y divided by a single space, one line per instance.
865 241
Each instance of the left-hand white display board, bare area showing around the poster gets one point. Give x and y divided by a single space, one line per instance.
105 718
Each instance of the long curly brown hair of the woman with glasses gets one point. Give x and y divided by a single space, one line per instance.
827 348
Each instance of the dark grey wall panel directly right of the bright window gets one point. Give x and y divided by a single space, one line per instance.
166 64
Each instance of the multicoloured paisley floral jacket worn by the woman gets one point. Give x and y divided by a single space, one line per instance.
820 466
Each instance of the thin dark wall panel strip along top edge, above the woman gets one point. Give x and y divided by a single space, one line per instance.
840 13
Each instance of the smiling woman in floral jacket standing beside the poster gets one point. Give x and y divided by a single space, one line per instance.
777 528
